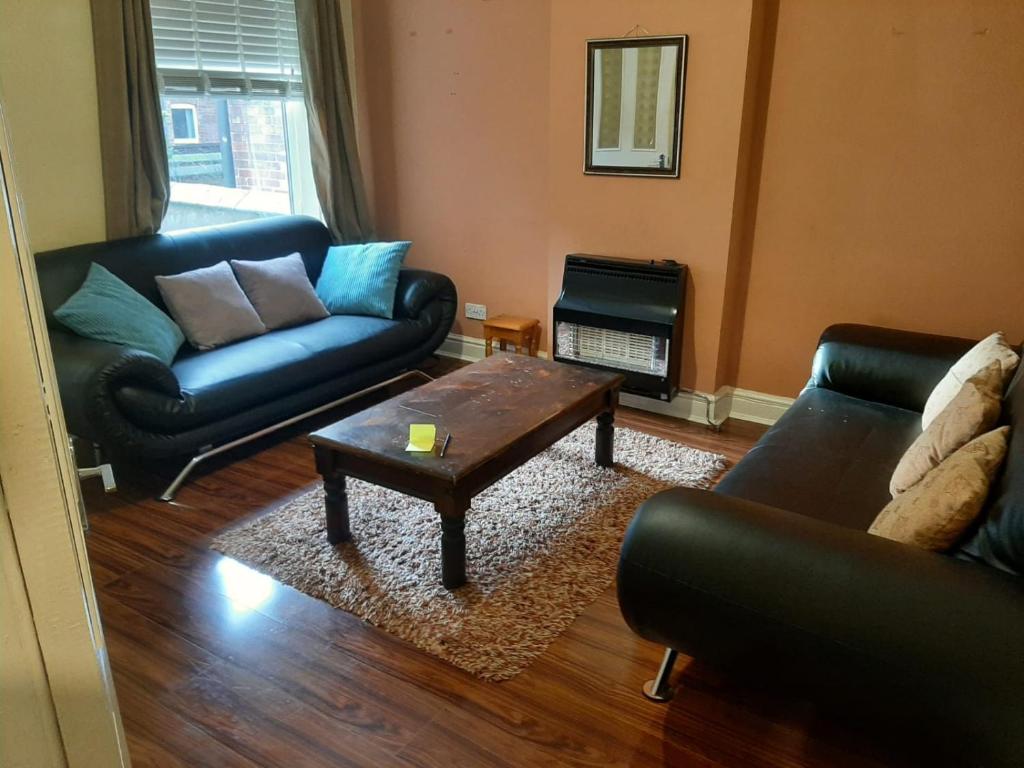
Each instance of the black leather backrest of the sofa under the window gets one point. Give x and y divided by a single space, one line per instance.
139 261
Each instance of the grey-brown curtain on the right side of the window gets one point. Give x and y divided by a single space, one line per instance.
332 125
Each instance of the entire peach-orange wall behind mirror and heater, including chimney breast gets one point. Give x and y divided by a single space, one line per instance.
882 142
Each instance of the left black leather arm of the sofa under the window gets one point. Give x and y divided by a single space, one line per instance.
89 371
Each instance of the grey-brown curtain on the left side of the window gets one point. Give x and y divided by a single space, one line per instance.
137 182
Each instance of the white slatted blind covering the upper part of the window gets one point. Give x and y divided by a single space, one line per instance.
227 47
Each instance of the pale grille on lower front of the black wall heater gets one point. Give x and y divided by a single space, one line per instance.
603 347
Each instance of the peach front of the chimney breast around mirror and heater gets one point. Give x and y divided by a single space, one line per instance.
689 220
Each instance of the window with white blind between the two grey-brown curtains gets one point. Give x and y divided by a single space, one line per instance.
231 83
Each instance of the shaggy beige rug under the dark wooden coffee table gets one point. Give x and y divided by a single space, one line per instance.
541 546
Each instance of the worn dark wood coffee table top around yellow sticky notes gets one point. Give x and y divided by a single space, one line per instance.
487 407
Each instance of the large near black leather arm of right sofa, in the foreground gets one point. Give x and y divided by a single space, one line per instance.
733 581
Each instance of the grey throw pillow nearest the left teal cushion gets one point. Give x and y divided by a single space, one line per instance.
210 307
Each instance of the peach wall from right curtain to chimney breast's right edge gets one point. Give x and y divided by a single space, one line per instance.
472 122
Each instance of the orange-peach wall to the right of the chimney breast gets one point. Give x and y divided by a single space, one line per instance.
892 184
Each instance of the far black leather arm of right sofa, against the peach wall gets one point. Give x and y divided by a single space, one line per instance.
899 368
